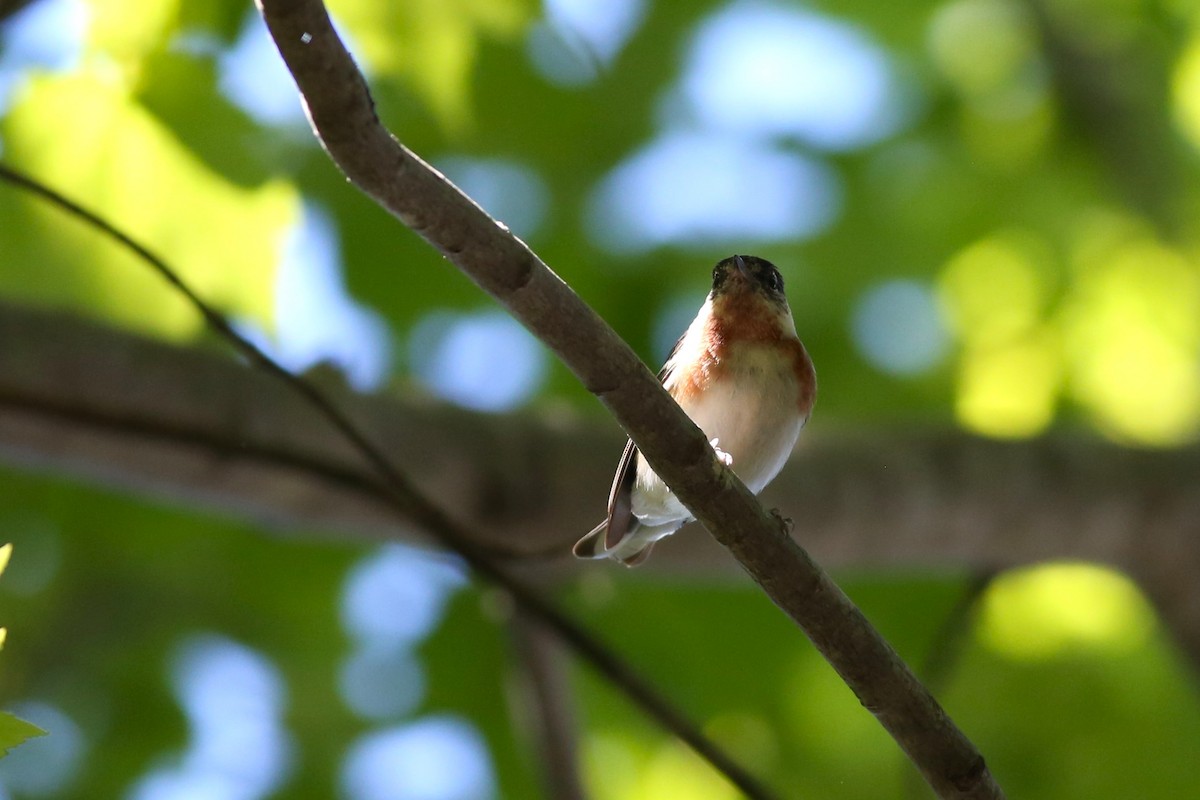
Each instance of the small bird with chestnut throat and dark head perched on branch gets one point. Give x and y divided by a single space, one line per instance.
745 378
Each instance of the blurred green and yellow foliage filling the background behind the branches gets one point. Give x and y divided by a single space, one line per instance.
1042 189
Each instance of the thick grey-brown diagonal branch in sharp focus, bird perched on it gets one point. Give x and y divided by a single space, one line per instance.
343 113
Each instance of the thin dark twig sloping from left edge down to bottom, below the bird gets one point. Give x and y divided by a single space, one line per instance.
424 513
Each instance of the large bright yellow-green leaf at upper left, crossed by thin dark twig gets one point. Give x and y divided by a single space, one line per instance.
225 240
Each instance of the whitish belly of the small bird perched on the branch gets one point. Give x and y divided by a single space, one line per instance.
752 413
